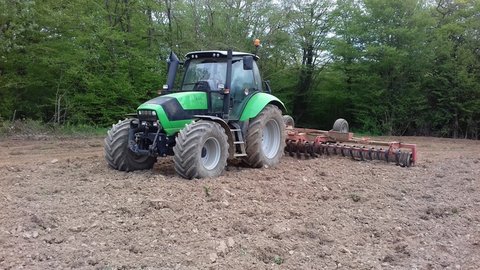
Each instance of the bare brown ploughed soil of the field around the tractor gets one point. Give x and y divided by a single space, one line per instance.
62 207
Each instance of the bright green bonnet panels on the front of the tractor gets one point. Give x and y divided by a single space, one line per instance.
188 101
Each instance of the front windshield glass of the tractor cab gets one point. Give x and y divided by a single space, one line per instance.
213 70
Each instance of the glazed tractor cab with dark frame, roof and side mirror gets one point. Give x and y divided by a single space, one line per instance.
209 71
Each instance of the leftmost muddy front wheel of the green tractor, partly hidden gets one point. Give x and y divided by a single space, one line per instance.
117 153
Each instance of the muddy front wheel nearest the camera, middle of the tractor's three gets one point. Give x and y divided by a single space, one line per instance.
201 150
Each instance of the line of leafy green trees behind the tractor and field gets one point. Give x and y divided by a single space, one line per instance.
408 67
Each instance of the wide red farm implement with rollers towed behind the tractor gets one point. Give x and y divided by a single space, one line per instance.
311 143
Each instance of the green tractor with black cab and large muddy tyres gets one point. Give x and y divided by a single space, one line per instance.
222 111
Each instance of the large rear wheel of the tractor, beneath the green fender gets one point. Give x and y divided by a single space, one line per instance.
266 138
